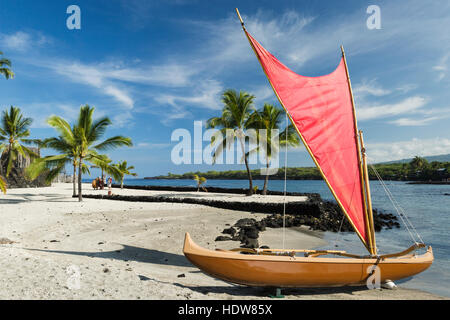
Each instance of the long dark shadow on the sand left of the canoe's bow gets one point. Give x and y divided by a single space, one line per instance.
130 253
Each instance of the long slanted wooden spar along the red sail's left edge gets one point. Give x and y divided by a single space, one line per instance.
366 244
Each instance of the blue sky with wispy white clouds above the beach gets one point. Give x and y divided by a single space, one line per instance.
155 66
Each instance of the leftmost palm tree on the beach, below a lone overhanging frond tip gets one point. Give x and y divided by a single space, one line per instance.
14 130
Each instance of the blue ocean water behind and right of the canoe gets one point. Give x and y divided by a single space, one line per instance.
426 206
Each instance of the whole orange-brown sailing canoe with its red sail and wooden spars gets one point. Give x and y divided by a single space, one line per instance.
323 112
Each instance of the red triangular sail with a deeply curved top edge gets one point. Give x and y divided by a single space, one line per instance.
321 109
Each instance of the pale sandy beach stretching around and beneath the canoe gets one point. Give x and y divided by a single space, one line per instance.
105 249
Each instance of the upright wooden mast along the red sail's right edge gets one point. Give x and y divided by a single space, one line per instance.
365 189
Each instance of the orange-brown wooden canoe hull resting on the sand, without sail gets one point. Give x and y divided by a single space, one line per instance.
286 271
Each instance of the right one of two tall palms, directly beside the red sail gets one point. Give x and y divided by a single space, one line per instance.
269 118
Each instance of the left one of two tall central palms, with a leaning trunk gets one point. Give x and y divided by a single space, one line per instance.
236 116
